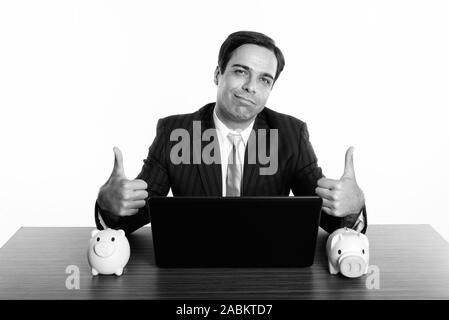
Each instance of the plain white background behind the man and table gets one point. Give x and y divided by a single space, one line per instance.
78 77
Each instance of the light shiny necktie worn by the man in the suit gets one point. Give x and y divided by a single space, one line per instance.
234 172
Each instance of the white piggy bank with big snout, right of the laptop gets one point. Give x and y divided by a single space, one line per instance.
348 253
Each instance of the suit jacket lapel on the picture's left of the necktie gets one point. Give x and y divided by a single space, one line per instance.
210 174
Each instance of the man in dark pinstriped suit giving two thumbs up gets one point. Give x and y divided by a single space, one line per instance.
249 64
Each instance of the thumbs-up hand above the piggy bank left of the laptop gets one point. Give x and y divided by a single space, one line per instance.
119 195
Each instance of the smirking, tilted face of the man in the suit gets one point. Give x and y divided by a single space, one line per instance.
245 85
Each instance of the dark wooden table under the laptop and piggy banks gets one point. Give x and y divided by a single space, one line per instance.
413 261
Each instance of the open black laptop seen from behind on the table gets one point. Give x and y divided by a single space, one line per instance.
234 231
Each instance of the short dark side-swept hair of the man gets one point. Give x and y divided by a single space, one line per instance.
239 38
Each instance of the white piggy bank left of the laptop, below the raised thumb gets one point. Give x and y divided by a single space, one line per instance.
108 251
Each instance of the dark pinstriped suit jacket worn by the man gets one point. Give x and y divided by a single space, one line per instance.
297 170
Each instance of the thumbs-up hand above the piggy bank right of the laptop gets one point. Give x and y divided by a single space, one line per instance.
342 197
